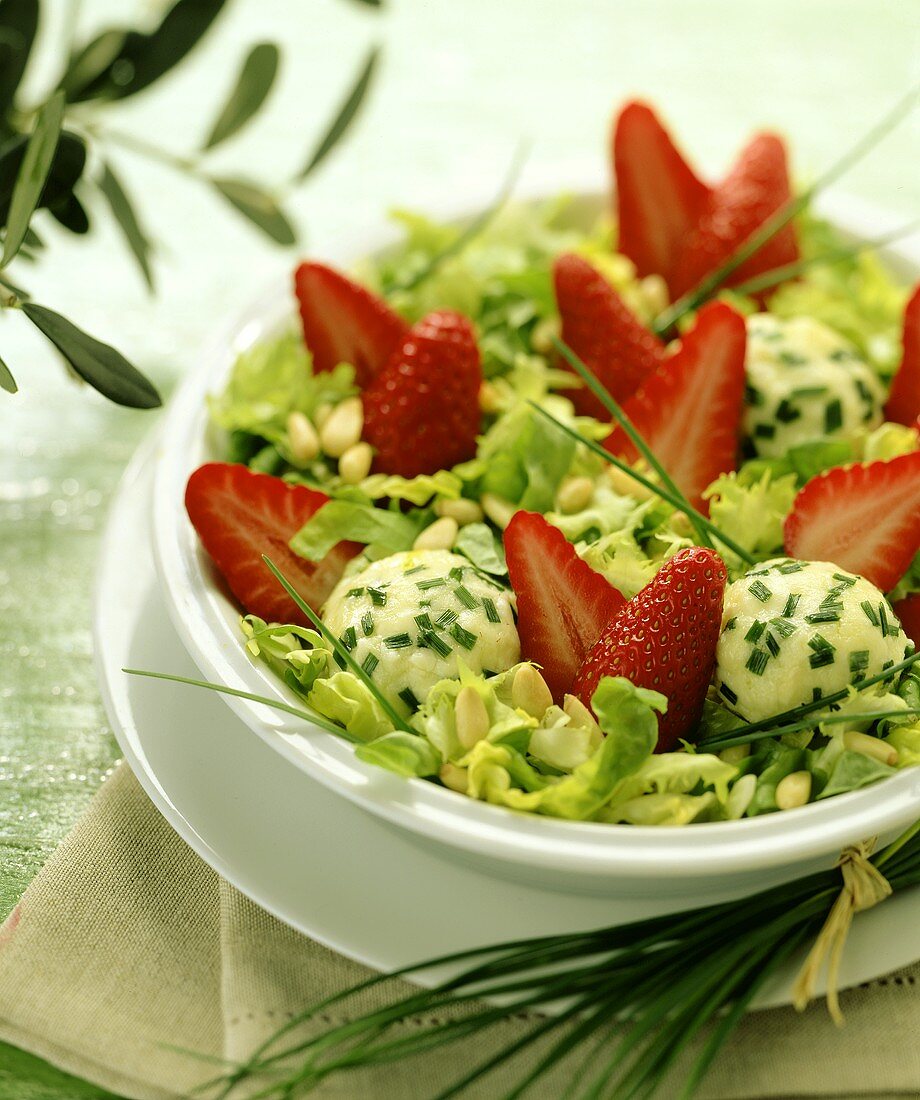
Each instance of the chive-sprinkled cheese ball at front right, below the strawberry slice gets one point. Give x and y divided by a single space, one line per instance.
794 632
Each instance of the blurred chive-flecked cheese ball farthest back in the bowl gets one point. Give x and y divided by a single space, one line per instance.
805 382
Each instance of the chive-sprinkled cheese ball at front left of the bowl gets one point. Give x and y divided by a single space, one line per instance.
410 620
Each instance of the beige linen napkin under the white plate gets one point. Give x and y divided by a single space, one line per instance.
128 953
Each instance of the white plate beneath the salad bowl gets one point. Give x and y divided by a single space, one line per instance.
311 857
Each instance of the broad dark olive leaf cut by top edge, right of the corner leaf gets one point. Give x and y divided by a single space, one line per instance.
145 59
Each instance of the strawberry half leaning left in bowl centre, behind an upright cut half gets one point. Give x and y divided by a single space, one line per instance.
603 332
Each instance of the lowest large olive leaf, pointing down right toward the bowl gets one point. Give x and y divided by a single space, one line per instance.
104 368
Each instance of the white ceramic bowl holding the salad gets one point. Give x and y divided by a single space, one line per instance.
700 863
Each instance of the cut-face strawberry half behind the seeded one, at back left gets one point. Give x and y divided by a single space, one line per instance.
344 323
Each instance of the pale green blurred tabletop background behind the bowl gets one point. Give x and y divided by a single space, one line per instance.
461 86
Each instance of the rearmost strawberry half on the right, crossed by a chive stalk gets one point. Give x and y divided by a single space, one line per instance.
757 186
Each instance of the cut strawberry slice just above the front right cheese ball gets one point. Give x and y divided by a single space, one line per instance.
863 518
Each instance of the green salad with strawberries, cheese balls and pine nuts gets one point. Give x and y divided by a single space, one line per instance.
616 524
